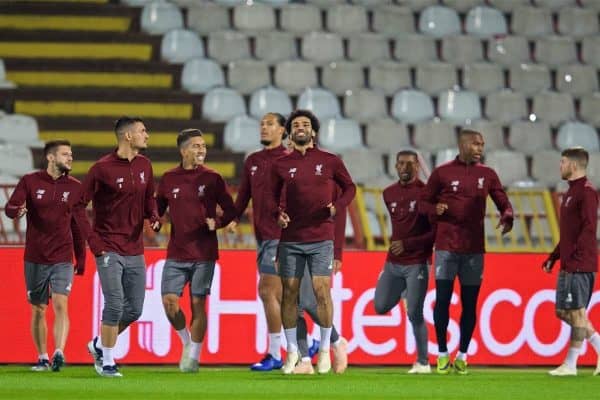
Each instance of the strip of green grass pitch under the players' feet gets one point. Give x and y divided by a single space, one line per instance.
166 382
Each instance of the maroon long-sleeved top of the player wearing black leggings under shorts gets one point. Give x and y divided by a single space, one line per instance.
464 187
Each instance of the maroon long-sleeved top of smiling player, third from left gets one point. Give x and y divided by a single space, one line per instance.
192 196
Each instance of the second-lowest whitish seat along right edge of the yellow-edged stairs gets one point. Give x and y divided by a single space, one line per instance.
222 104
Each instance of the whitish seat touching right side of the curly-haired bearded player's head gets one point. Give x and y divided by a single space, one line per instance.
339 134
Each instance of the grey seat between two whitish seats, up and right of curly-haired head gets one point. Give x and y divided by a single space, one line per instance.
364 105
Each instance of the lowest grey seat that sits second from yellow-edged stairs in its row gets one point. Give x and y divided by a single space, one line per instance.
247 75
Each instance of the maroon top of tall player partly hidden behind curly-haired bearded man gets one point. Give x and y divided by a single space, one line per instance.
256 183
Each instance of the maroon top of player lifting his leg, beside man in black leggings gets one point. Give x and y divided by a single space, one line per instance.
410 223
